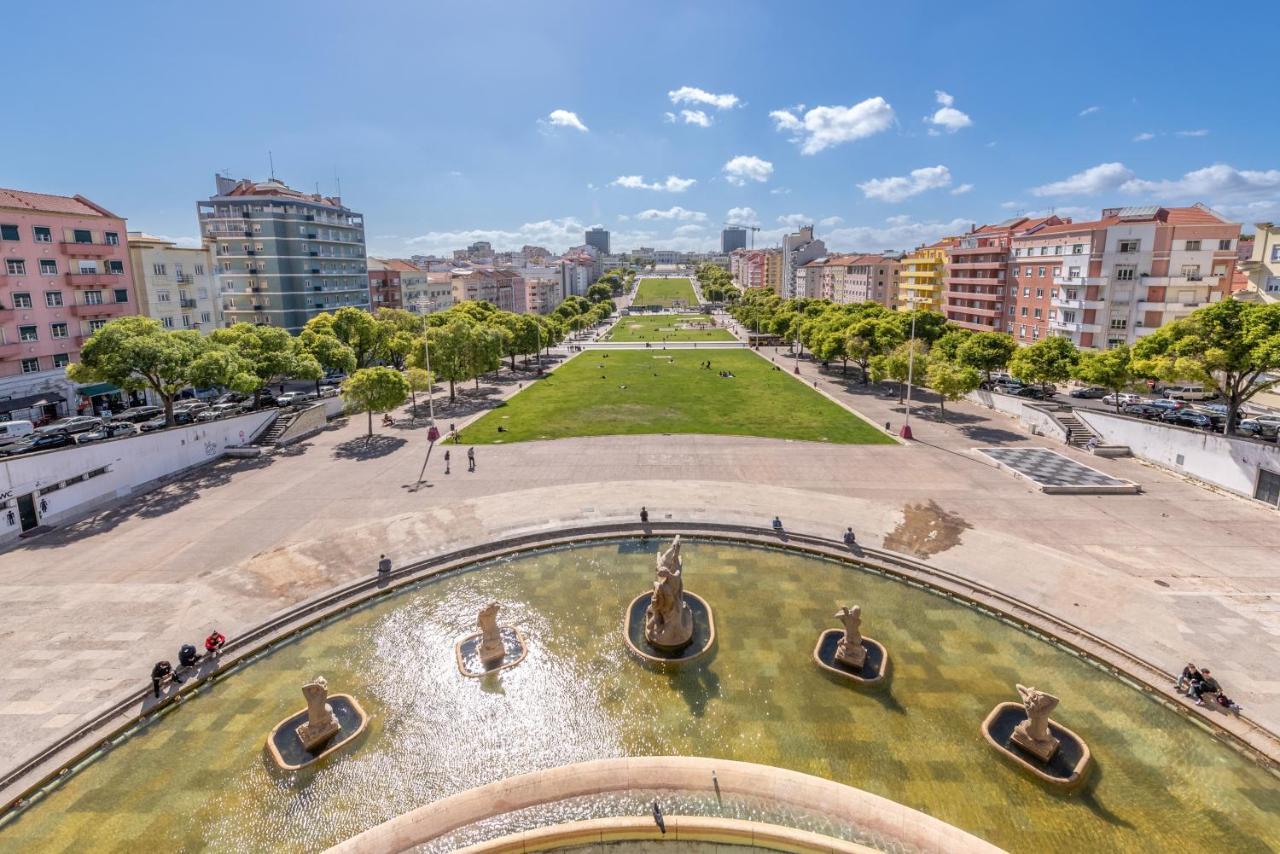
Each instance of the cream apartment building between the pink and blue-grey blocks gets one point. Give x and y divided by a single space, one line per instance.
175 285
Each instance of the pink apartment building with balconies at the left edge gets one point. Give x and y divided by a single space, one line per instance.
65 273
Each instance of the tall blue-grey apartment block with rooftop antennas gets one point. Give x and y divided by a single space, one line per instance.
284 257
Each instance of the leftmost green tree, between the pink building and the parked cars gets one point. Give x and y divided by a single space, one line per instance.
139 354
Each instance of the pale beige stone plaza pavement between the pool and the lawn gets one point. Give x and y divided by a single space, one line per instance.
1173 574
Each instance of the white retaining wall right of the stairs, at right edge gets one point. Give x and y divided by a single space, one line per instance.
1232 464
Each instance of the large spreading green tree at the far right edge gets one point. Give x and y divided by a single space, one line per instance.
1229 345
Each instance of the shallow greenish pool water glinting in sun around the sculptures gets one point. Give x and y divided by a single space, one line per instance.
199 779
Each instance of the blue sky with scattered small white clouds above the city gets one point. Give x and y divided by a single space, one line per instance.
886 125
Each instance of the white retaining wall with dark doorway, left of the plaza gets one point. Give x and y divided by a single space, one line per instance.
66 485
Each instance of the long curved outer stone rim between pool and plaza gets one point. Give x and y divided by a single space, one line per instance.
117 720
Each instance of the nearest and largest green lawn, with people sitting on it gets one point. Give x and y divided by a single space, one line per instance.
646 391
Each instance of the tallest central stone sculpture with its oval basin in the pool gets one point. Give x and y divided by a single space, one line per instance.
669 624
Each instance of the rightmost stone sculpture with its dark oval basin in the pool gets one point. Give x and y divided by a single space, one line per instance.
1025 734
